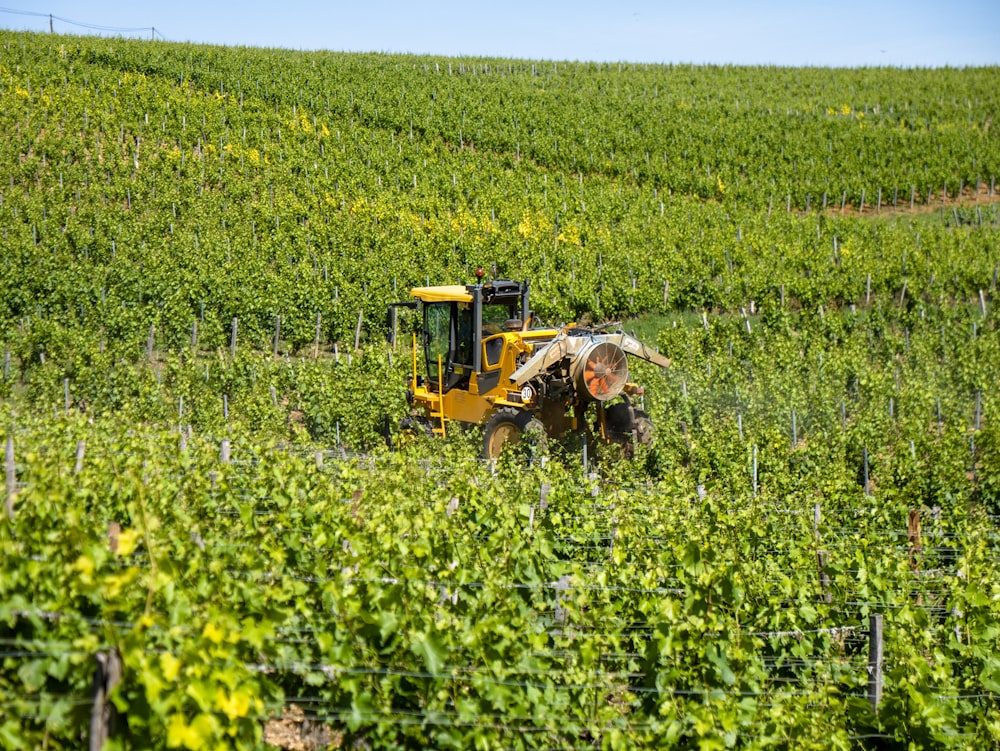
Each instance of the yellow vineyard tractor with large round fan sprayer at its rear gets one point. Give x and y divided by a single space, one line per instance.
488 363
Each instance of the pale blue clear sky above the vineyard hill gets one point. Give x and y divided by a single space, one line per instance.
916 33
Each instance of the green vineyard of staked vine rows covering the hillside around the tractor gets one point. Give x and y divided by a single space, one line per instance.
198 246
